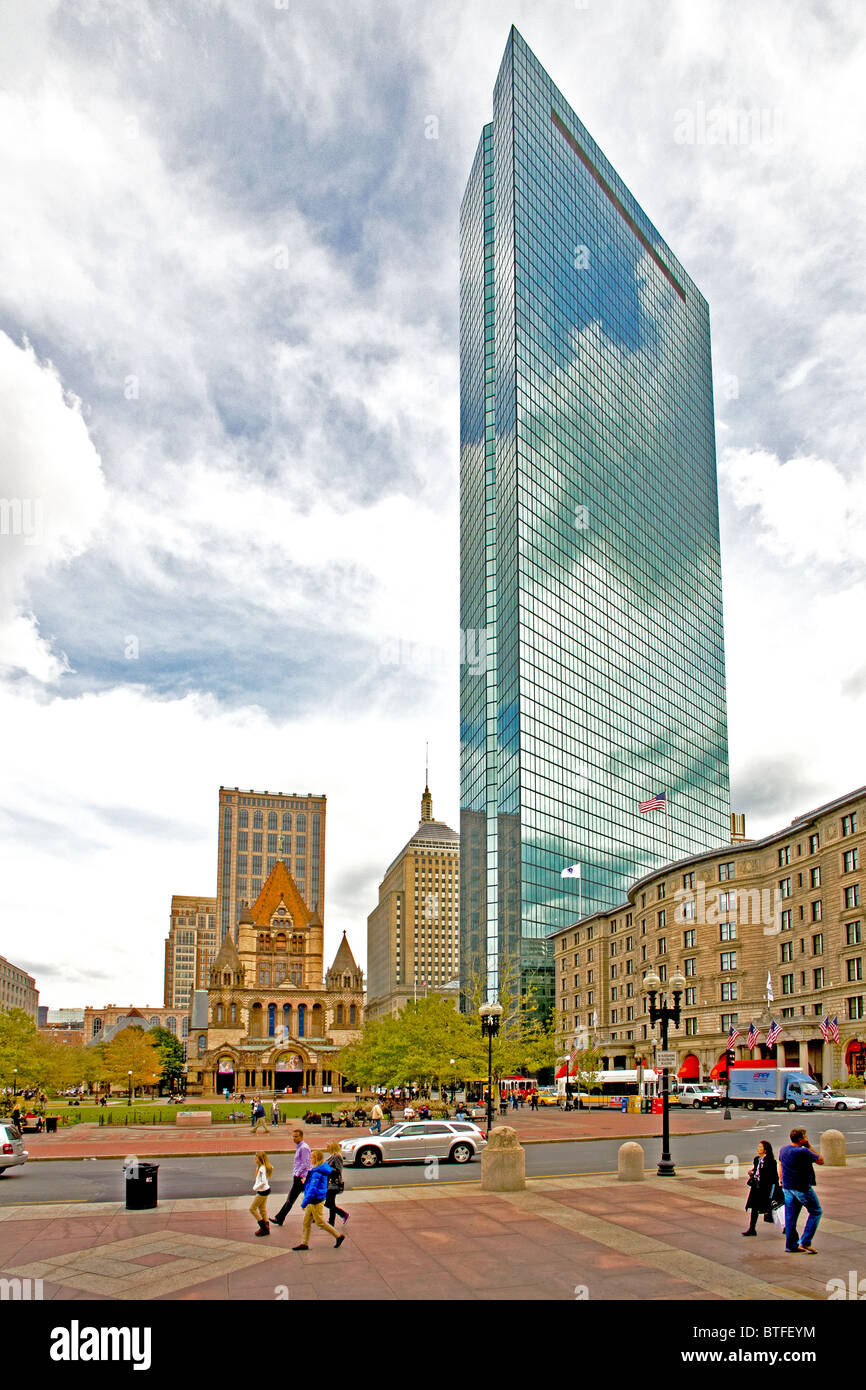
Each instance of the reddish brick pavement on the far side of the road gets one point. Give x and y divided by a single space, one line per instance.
543 1128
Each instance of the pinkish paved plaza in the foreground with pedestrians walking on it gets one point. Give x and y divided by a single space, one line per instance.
561 1239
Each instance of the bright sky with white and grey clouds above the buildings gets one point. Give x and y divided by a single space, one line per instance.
229 405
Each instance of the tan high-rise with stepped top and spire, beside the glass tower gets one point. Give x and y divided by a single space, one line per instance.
414 933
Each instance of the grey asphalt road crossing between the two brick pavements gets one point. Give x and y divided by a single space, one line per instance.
102 1181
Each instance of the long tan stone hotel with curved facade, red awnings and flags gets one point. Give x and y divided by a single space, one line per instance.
787 907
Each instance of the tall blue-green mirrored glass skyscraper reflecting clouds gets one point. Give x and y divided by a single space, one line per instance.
593 667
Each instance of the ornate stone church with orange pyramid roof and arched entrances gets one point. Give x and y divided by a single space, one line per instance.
273 1018
